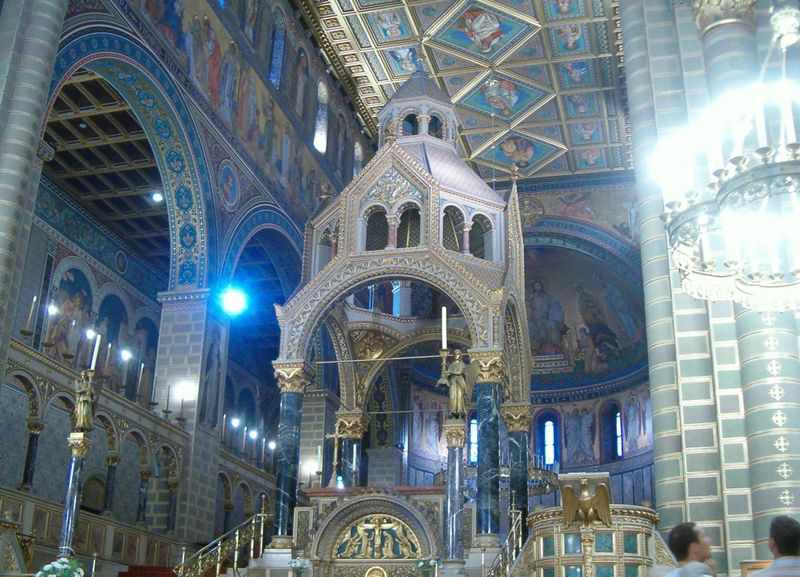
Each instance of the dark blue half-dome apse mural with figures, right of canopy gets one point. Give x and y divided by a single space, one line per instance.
585 323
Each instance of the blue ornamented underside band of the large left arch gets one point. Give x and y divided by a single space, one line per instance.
159 106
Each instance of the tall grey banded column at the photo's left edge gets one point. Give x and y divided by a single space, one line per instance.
29 36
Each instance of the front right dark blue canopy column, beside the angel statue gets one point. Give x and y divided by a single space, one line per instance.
488 392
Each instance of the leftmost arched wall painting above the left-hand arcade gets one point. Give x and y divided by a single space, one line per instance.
71 314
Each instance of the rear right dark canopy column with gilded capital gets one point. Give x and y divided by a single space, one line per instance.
517 418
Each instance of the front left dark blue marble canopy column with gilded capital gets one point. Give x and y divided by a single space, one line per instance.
292 380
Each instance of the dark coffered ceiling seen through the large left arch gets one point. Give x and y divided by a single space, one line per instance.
104 161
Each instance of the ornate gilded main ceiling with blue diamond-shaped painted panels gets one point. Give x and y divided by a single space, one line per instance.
535 81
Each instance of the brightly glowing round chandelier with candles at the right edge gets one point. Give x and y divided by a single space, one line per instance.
731 186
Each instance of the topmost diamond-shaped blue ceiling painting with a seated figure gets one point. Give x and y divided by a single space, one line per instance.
483 31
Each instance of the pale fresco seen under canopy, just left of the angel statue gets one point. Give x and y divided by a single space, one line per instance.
429 411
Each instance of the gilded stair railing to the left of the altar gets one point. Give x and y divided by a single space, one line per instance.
215 554
